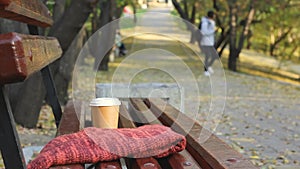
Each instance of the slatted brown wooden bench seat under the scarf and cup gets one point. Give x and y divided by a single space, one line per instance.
212 153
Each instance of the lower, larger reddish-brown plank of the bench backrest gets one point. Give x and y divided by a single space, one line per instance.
21 55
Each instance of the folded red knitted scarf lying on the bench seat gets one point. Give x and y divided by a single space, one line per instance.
91 145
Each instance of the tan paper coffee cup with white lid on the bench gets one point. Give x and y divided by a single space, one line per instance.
105 112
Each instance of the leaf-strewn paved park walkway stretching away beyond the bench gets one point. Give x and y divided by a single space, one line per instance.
261 116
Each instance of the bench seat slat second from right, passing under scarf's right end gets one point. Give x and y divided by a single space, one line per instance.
182 160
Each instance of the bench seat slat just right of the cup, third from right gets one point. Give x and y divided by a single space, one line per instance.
139 163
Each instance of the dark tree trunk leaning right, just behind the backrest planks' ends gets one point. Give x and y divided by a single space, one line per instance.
65 30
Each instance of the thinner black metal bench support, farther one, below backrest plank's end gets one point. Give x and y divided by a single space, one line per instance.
51 94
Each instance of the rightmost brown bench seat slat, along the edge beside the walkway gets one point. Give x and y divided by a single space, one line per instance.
215 152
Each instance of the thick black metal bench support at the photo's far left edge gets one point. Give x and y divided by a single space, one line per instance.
9 141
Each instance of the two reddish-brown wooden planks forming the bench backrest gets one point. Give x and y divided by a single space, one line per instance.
21 55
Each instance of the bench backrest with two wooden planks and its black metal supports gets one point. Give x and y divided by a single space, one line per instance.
21 56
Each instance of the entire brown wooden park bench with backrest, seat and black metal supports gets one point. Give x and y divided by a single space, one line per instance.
22 55
